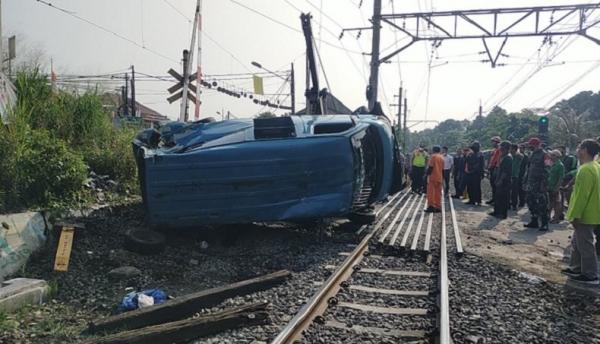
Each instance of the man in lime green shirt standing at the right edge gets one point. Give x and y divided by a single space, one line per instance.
584 216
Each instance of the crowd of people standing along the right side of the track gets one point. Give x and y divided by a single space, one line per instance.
529 174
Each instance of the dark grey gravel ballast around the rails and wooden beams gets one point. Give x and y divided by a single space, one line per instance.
490 303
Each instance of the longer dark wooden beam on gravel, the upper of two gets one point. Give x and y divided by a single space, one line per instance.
186 305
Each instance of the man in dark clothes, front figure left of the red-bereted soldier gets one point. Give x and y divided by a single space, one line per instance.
503 182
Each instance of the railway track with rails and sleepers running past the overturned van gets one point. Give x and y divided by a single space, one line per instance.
392 287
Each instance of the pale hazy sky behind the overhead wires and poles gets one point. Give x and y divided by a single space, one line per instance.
441 83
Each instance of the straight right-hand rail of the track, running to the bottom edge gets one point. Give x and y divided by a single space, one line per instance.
444 299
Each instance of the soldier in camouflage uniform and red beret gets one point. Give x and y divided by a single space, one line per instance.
536 185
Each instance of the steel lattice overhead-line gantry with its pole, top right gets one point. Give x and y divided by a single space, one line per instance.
484 24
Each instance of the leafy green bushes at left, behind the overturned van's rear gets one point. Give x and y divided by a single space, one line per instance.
50 142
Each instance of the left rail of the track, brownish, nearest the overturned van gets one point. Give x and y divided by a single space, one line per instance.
318 302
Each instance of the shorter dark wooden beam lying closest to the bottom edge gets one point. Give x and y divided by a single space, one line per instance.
188 329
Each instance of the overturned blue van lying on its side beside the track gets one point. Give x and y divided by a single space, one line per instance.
292 168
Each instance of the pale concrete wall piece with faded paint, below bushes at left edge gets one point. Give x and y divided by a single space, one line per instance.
24 235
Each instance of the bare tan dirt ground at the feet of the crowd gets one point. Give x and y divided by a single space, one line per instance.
508 242
